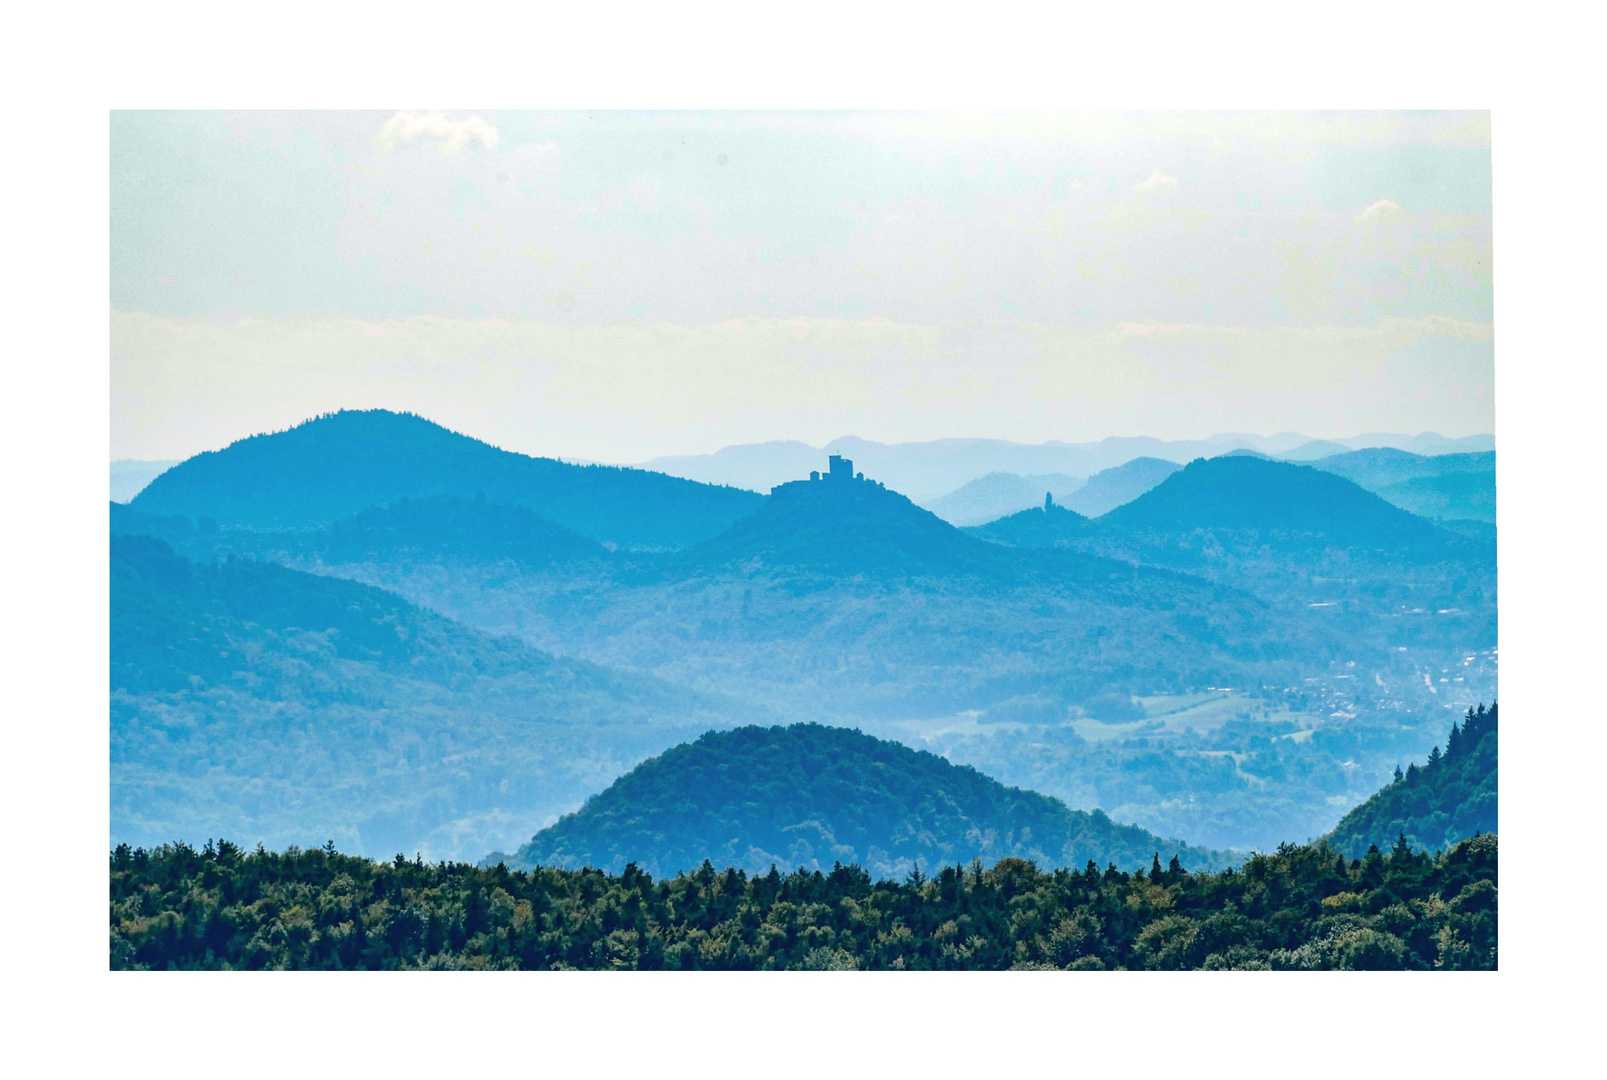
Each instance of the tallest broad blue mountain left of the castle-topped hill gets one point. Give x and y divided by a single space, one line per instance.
343 464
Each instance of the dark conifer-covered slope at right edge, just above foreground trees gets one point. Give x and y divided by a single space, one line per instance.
1450 798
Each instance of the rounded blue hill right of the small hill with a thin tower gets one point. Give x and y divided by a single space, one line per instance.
1275 499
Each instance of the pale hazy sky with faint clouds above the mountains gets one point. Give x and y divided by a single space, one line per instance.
619 287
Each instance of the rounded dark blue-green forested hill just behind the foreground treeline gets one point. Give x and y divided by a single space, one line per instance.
811 796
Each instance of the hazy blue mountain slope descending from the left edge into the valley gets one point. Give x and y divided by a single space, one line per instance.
260 703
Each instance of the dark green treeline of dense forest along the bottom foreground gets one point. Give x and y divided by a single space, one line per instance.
1296 909
